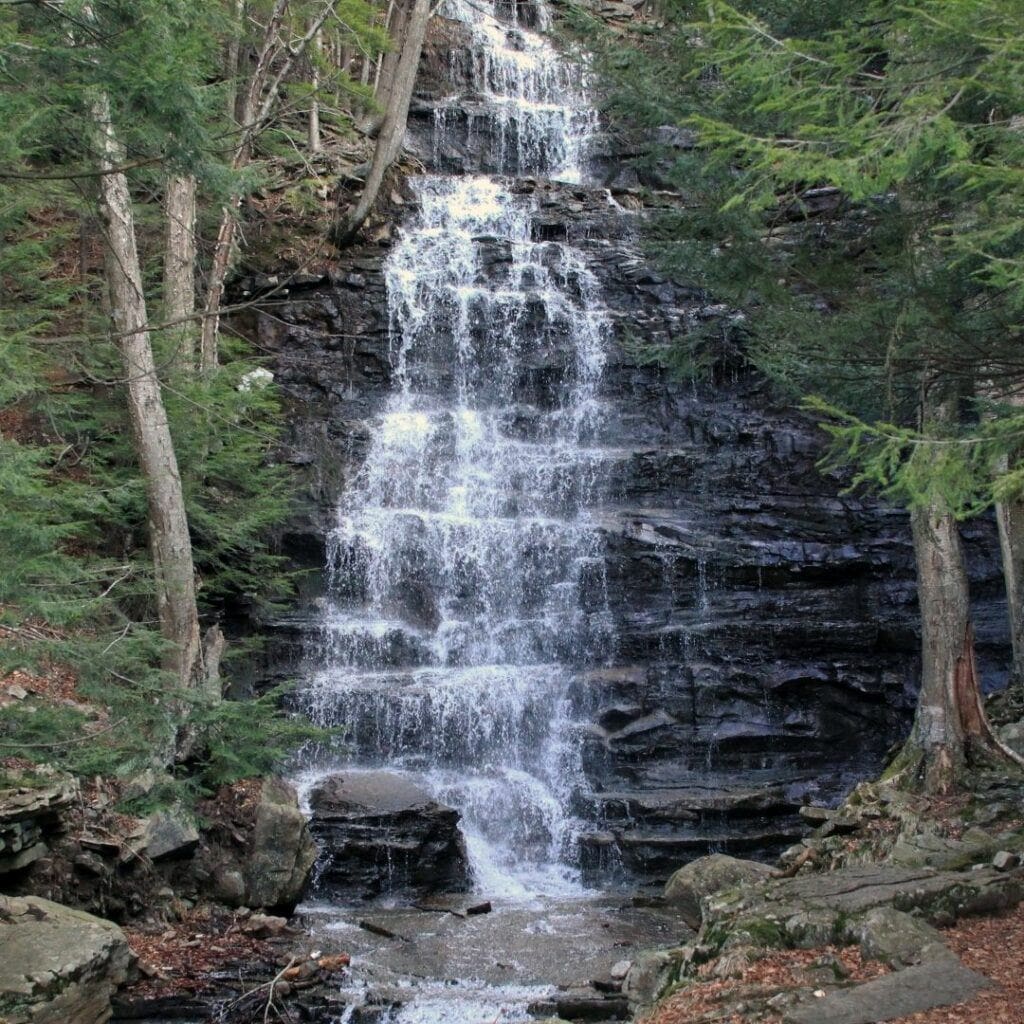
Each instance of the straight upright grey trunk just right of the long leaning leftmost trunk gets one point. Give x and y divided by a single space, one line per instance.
180 268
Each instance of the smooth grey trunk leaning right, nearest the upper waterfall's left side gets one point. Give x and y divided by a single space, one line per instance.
394 129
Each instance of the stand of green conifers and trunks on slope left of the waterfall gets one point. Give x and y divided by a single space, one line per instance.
118 115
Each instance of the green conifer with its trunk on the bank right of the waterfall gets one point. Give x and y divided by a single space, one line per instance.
852 177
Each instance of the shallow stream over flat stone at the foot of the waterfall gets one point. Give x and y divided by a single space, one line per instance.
445 965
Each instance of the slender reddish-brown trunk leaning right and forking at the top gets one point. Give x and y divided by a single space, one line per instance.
261 99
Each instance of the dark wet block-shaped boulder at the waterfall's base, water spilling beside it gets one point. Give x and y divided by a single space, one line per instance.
378 832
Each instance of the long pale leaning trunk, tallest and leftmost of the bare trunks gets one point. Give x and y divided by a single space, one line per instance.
169 540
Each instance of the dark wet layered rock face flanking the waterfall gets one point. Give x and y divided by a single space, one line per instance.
765 649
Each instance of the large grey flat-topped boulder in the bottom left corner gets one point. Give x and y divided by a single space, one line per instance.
59 965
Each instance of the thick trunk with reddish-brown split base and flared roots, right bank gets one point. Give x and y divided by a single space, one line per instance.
951 732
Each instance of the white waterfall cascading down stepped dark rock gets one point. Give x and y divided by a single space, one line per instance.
466 565
